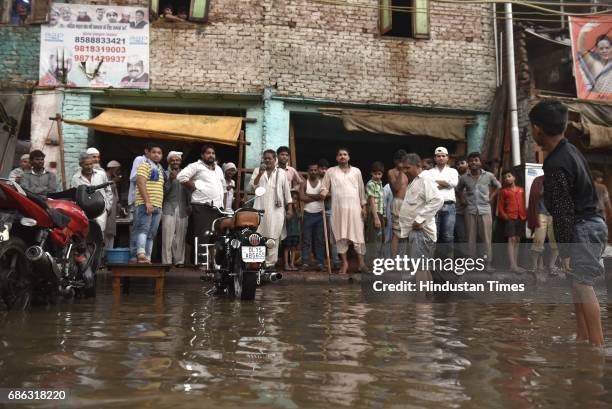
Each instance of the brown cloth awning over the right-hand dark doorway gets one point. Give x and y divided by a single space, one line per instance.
402 123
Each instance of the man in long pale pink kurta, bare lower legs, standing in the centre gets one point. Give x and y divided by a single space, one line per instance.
345 184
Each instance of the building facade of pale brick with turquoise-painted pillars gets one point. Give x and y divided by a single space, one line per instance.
281 63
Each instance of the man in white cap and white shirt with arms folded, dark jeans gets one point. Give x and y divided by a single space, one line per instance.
446 179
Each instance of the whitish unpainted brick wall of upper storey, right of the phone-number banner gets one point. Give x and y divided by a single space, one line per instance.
314 50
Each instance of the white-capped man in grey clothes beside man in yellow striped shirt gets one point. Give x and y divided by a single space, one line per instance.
175 213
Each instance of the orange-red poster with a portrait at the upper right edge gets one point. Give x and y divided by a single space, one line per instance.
592 54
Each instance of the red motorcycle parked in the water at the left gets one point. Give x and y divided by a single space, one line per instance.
49 247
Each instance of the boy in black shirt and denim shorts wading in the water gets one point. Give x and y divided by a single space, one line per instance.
571 198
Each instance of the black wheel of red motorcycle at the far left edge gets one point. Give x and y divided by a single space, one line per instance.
15 277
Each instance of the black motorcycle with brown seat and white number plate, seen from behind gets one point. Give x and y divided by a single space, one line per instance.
237 251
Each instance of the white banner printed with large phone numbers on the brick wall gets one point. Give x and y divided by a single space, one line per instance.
95 46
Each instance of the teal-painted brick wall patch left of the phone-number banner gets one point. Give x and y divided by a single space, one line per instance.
19 51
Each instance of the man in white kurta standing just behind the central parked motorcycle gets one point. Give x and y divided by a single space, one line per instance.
274 201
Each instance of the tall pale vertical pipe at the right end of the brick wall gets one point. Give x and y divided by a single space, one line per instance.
514 131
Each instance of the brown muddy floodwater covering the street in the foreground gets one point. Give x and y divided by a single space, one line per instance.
297 346
